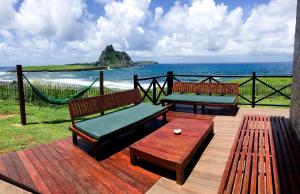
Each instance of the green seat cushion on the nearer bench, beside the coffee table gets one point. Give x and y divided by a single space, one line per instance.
103 125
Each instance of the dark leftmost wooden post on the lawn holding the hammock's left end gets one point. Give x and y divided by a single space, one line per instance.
21 94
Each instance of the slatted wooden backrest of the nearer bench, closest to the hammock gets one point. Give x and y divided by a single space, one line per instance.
93 105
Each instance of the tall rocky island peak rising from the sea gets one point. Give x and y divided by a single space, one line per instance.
114 59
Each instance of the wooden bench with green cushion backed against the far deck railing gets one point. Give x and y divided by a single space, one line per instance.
227 95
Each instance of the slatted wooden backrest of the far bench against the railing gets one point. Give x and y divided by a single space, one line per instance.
206 88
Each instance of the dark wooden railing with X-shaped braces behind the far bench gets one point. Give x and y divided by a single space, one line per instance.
254 90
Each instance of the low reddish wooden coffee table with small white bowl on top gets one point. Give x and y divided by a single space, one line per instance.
171 151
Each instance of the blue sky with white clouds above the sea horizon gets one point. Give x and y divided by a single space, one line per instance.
43 32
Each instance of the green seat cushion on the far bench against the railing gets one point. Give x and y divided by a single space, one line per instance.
201 98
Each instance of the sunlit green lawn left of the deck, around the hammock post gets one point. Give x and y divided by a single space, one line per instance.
45 124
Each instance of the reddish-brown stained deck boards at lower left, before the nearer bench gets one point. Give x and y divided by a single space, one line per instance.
60 167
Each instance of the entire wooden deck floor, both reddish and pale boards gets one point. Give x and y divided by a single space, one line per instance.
61 167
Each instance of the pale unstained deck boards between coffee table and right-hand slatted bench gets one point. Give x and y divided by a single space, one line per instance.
207 173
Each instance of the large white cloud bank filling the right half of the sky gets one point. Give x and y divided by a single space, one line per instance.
210 29
